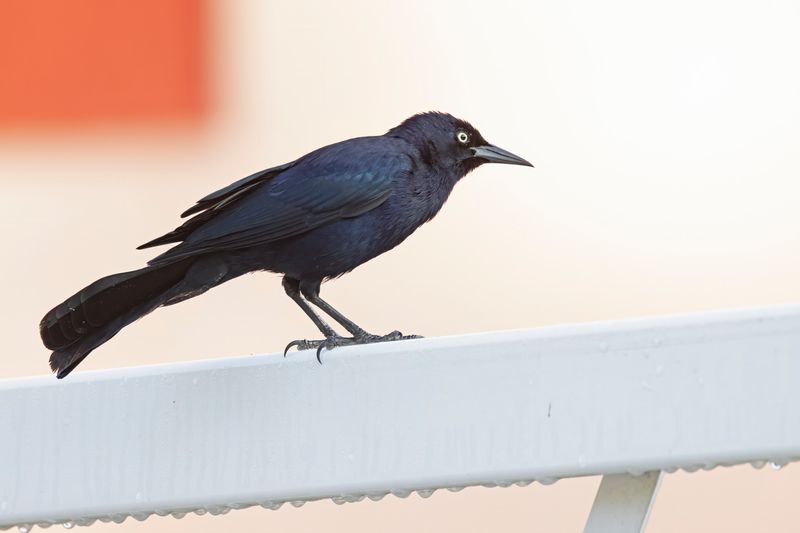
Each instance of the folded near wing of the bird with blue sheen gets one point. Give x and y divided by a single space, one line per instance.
328 185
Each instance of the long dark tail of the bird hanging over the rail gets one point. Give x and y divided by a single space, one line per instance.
97 312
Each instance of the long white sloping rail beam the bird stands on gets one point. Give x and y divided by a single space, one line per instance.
630 396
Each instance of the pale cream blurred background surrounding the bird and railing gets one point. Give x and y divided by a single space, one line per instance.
665 138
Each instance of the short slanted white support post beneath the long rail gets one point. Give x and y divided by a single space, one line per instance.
623 503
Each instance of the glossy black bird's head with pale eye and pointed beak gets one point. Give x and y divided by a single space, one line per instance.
448 142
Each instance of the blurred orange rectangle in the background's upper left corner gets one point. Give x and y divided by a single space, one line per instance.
93 60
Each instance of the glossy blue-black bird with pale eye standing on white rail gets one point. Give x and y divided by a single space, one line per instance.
311 220
